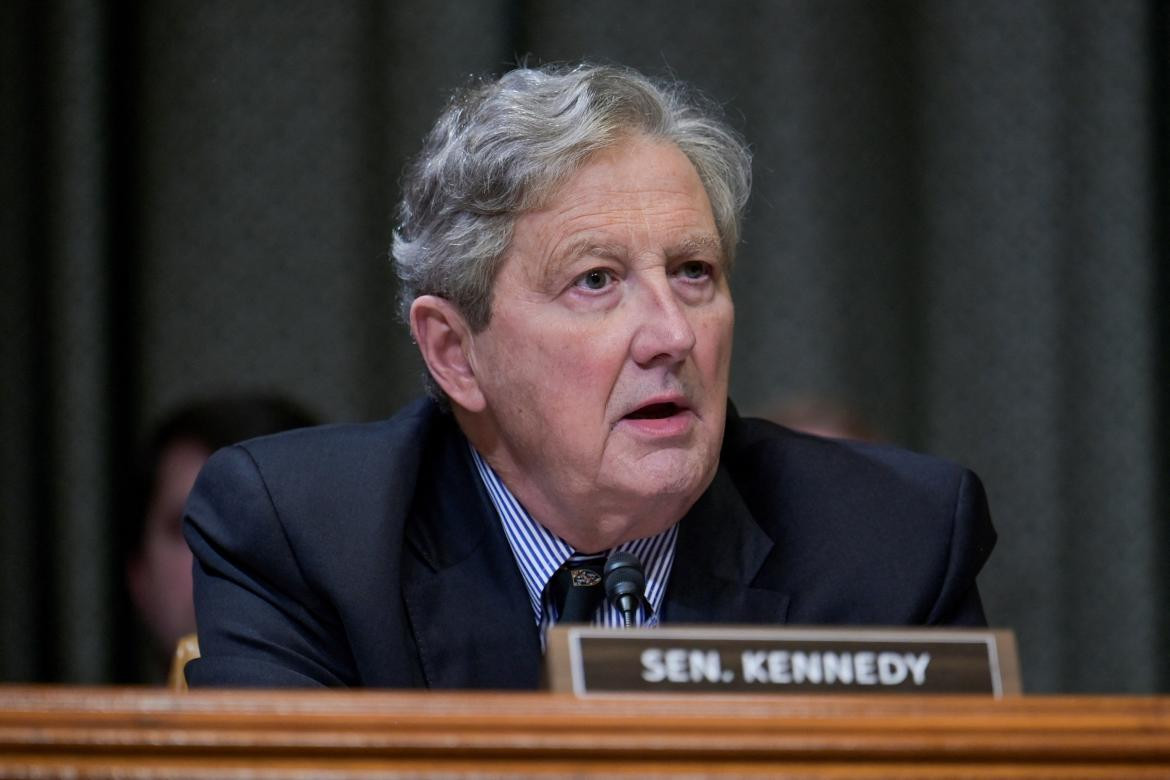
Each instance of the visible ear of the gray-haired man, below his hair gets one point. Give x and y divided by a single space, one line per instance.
445 342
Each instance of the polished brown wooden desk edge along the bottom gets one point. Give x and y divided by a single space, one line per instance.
127 733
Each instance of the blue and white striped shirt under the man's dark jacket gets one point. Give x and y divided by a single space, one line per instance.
540 554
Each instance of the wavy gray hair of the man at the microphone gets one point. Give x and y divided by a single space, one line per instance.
503 148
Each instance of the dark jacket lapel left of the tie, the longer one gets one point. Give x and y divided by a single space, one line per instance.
470 610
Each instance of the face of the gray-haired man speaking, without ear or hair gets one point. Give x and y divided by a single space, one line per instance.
605 364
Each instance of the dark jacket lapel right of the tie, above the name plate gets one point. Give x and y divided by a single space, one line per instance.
720 551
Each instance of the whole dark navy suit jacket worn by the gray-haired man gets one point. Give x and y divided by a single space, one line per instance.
371 556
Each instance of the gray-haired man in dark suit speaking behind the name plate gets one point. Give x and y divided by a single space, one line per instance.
565 256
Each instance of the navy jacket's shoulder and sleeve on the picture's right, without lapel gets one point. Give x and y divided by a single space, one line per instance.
859 534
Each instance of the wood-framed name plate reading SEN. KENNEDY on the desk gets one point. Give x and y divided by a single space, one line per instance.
752 661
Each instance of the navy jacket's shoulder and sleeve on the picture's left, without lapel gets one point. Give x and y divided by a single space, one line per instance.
286 531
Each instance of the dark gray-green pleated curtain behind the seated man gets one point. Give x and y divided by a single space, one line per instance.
960 230
